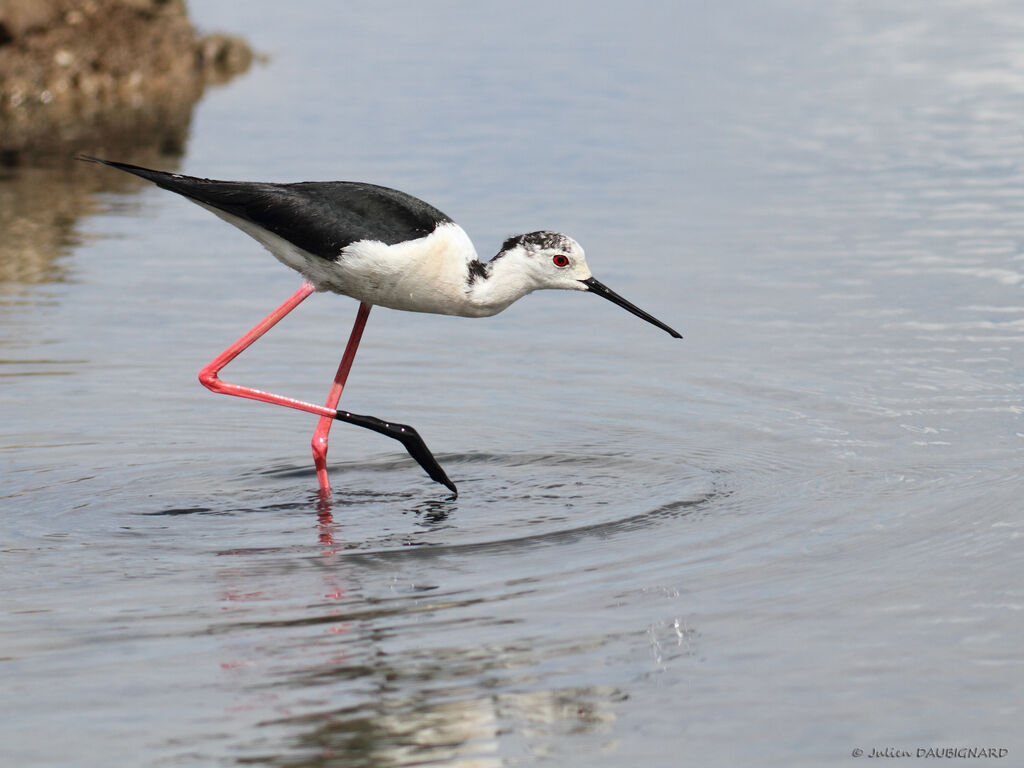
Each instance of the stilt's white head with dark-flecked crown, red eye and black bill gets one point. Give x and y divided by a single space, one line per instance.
556 261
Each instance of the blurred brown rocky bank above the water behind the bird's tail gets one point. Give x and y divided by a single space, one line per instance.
84 75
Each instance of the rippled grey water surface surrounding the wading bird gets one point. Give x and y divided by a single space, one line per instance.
793 535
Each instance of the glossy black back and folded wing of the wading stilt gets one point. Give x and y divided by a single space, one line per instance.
320 218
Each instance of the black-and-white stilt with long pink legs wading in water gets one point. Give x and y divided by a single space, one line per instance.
383 247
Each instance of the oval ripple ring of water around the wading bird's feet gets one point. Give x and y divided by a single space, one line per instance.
387 504
